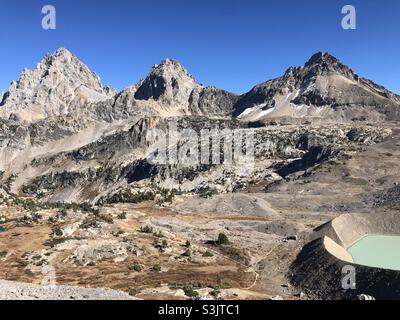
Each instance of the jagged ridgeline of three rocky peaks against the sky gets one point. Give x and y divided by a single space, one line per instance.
324 88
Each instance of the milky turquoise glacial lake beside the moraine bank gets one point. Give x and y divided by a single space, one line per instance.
380 251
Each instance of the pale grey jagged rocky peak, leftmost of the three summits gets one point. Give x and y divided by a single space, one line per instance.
59 84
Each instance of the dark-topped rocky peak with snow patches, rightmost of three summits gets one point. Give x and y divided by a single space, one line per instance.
324 88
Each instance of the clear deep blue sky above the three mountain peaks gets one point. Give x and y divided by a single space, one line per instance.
232 44
